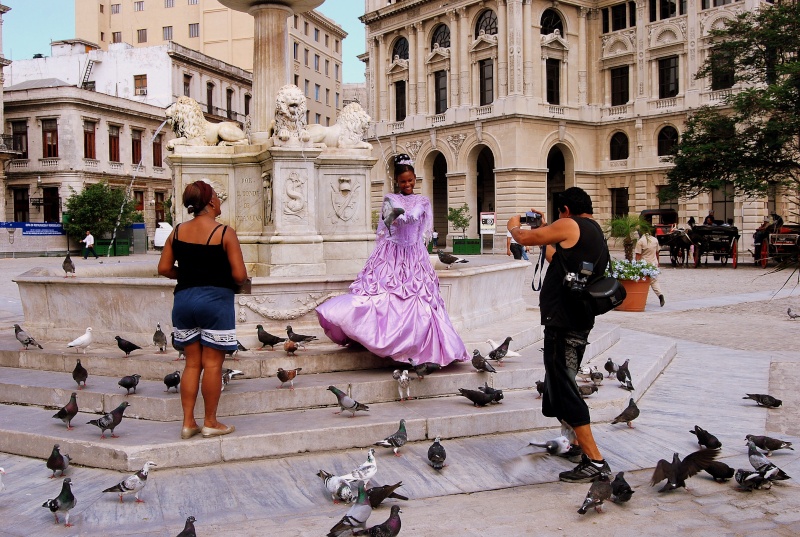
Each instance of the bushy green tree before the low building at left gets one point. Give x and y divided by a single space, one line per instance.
97 209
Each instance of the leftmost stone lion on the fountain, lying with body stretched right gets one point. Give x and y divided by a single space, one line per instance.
191 128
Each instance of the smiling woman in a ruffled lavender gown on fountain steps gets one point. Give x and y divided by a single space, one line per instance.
394 308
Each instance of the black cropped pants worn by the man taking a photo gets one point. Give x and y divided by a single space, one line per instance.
563 354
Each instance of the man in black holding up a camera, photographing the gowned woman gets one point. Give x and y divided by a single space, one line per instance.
572 241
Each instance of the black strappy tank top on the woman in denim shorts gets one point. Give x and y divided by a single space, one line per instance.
202 265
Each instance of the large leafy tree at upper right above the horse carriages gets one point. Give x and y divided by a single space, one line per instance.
752 141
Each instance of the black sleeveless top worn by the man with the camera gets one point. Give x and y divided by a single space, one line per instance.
557 304
